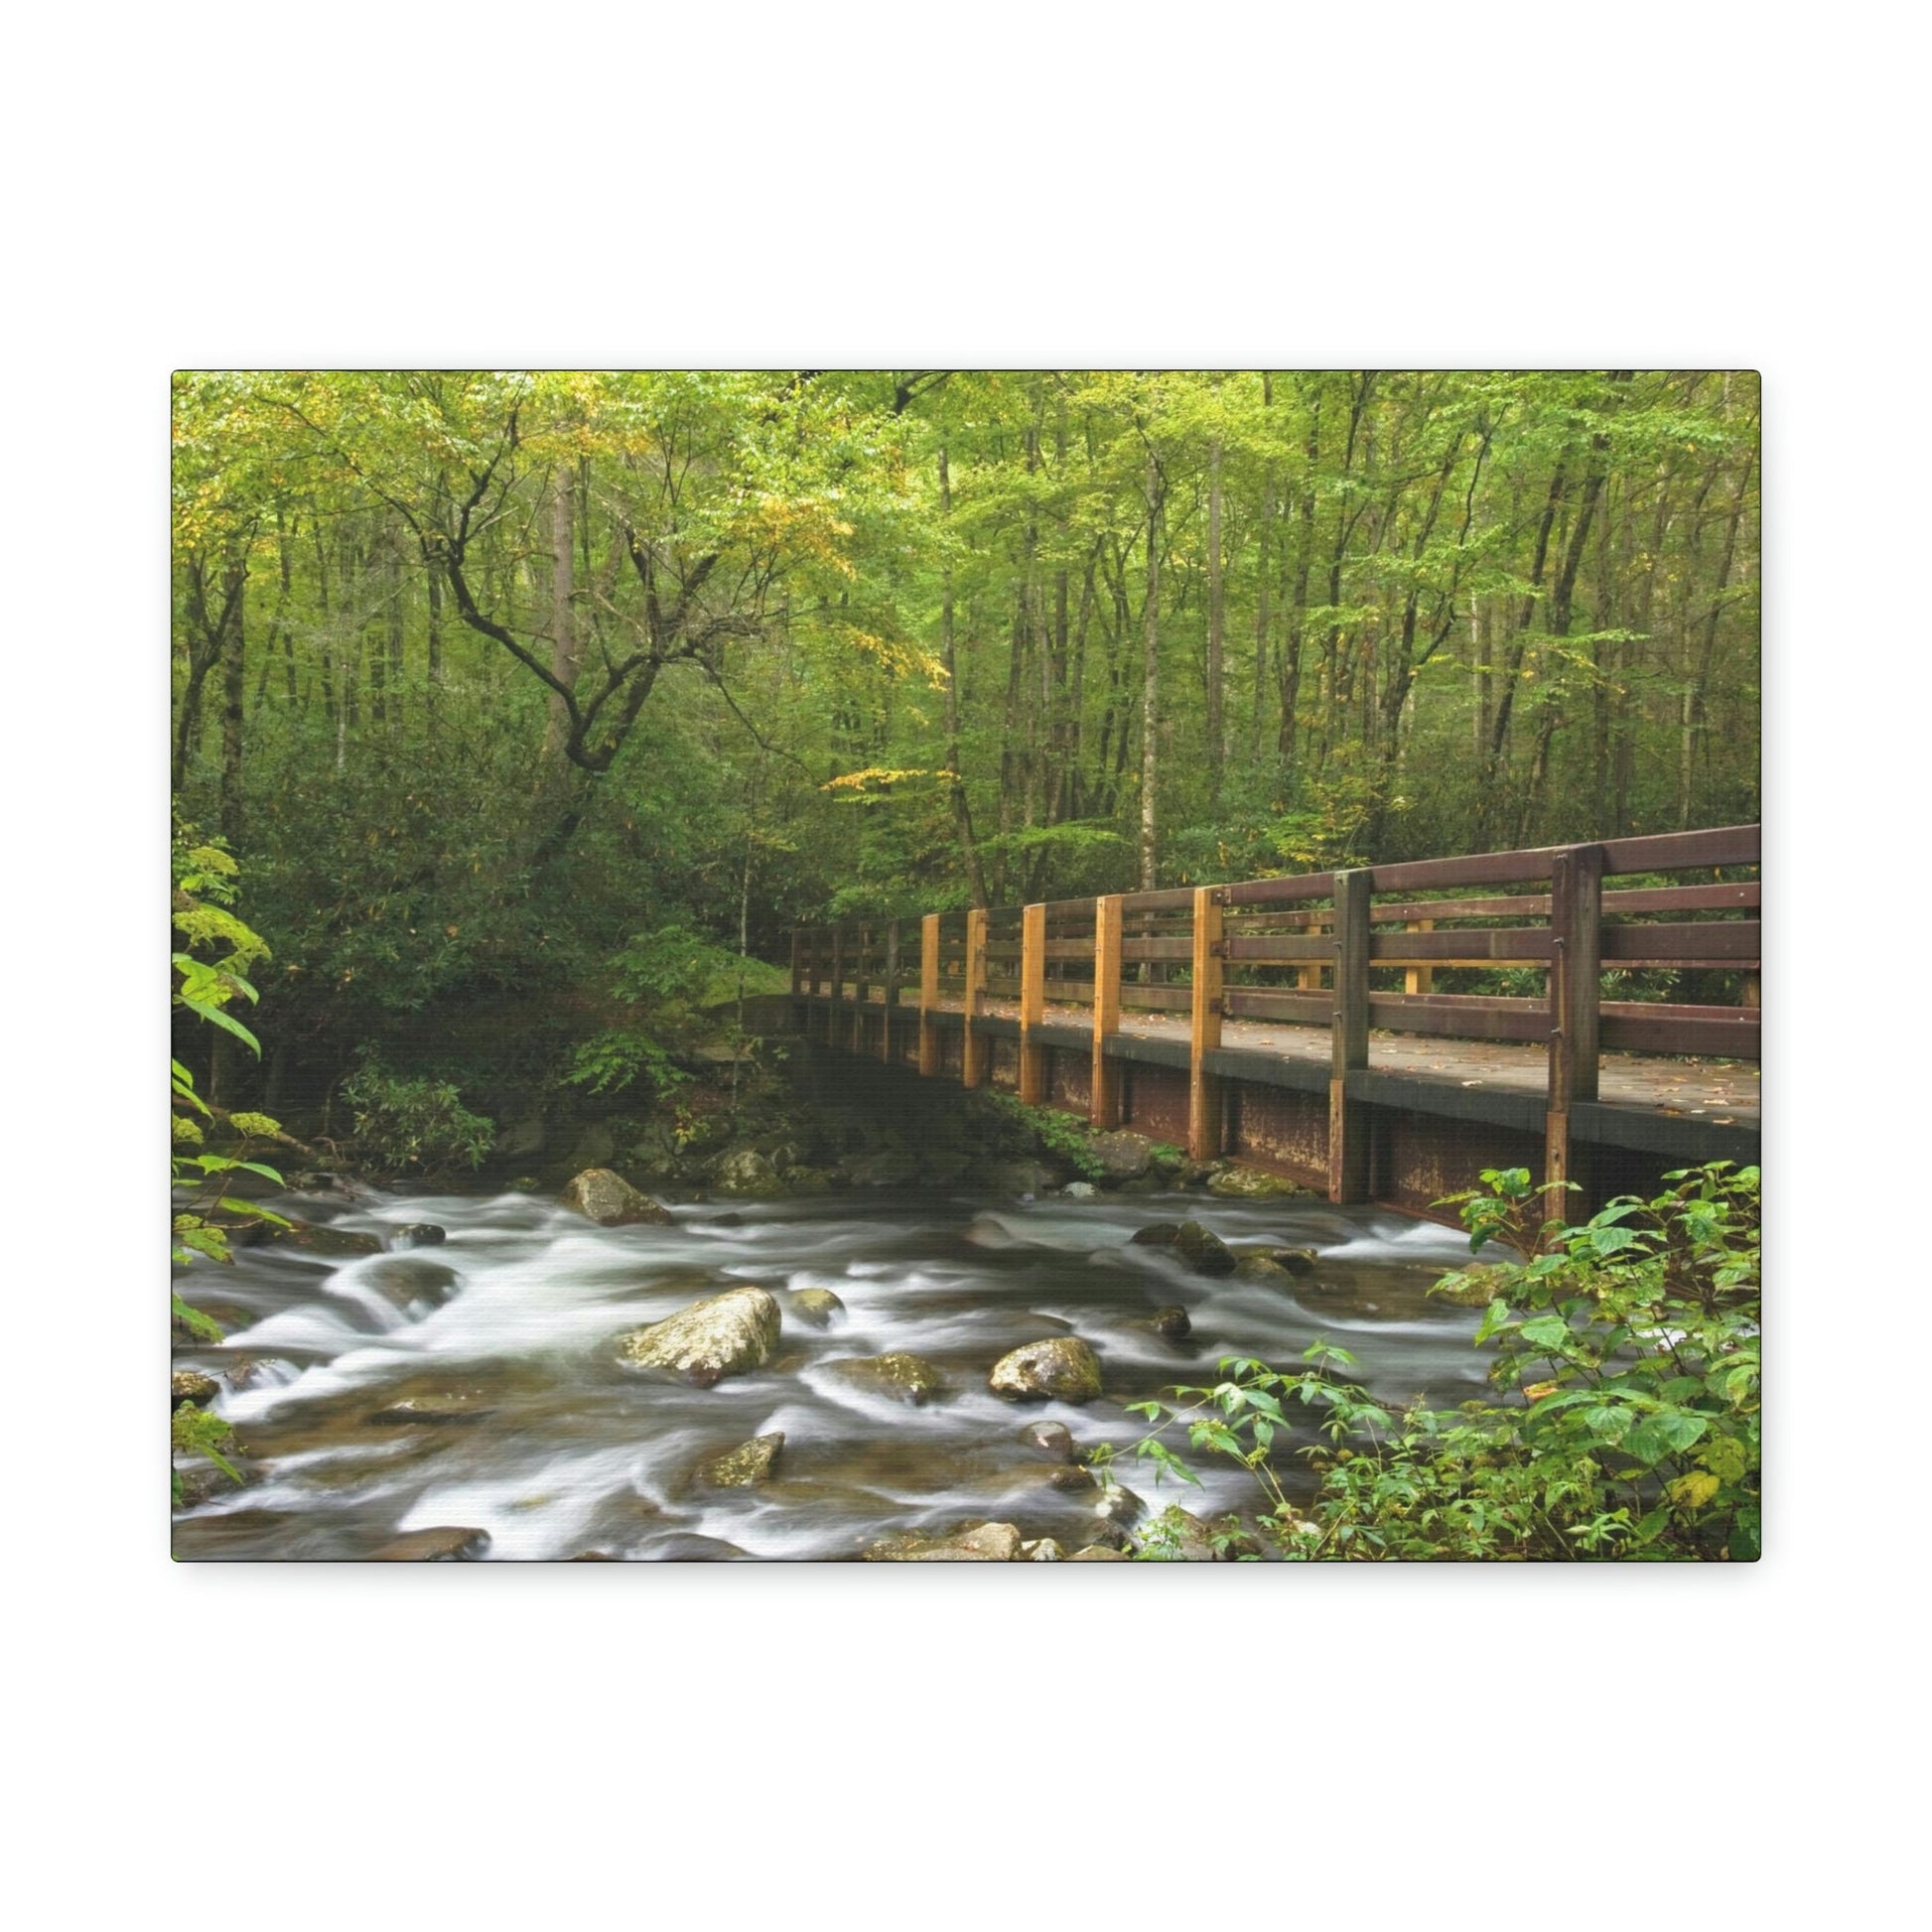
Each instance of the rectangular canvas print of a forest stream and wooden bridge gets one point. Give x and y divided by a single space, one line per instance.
953 965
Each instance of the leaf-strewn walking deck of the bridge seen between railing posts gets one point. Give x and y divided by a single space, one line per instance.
1717 1093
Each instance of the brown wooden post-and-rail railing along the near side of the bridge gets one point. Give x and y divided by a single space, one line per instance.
1346 952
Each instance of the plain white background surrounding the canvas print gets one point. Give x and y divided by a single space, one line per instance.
1649 186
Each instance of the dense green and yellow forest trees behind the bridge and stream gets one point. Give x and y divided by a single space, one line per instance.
530 702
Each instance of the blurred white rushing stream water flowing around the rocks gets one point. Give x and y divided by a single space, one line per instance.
544 1442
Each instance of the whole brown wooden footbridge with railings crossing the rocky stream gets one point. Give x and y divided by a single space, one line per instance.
1295 1025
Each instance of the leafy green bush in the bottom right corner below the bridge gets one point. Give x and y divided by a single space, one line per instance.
1630 1421
